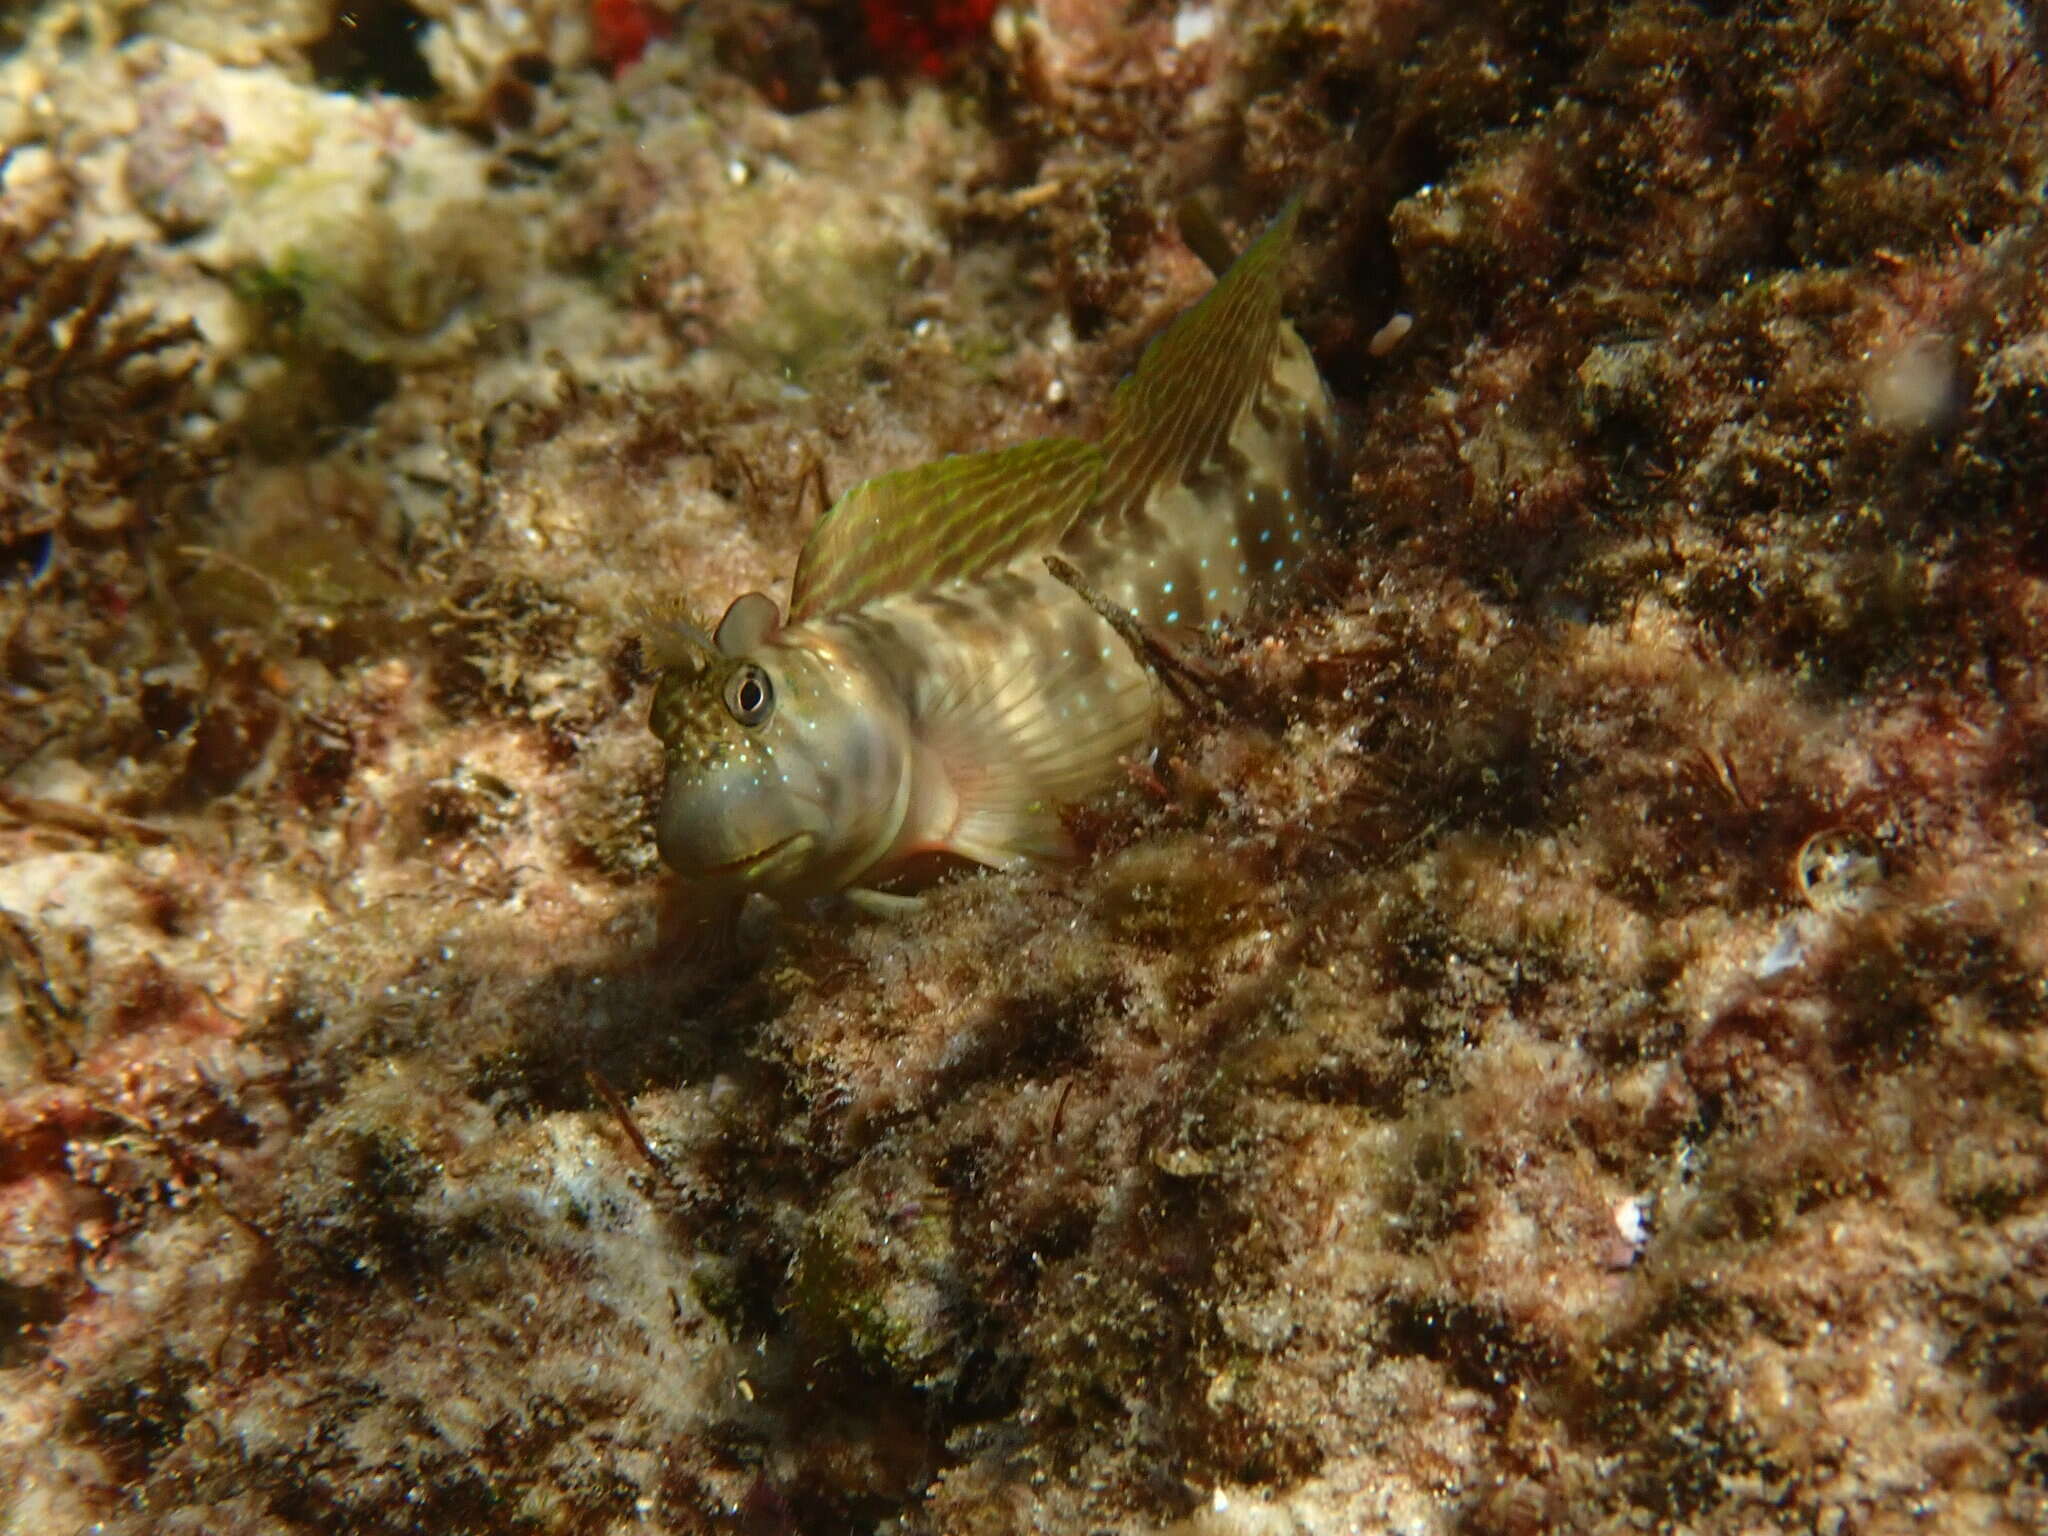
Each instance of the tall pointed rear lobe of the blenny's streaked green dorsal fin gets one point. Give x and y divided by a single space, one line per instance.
1197 378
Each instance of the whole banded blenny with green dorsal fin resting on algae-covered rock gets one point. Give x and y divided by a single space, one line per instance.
937 691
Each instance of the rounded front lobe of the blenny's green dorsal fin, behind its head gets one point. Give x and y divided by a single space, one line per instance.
943 523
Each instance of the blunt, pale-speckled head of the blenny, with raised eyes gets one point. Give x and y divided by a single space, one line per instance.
787 767
